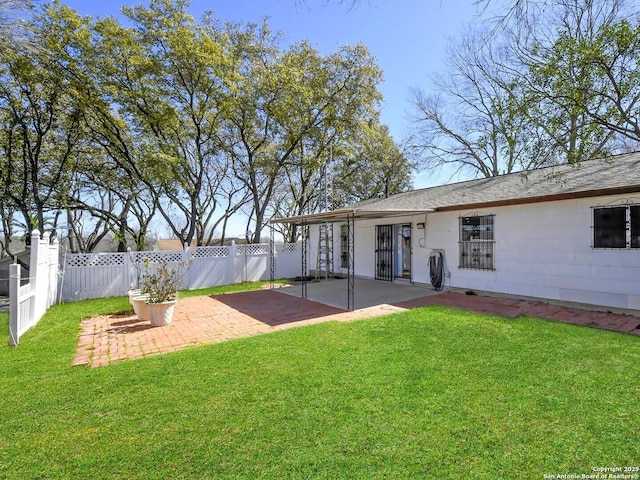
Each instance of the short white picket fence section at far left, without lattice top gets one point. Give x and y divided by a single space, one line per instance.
29 302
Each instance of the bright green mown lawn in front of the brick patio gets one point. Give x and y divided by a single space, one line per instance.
430 393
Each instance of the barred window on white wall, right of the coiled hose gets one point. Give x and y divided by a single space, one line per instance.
477 242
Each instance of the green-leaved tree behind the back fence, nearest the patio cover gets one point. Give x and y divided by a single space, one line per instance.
290 106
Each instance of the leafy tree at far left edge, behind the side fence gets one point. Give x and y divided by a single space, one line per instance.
40 120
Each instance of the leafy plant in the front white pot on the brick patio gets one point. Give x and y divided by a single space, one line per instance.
160 290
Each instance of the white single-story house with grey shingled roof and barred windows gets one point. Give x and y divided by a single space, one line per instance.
567 233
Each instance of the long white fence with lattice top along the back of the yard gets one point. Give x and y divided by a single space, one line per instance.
112 274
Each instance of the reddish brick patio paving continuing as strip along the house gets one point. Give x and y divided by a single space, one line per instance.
108 339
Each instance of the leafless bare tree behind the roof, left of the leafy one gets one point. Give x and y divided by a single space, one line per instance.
474 120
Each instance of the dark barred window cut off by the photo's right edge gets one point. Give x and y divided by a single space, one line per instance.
616 227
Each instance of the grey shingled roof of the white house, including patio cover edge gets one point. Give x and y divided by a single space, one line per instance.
615 175
